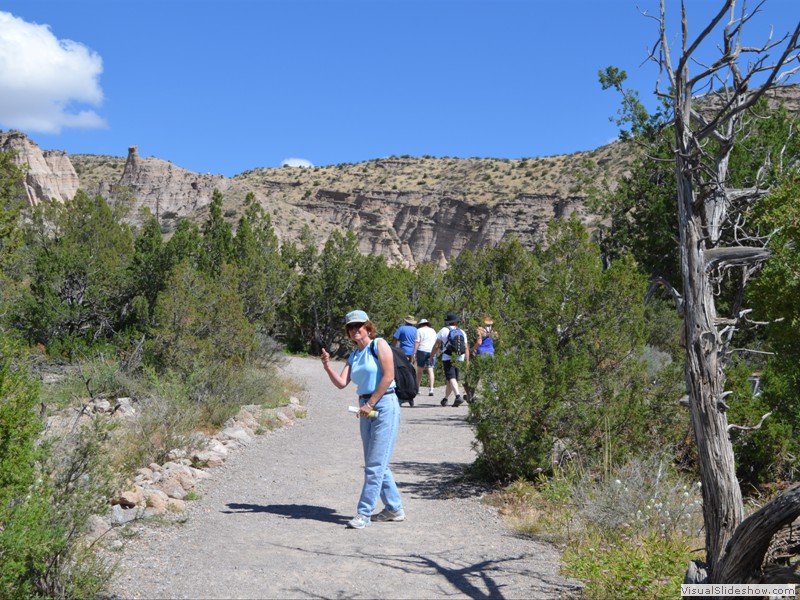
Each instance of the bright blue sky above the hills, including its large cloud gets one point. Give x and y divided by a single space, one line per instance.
230 85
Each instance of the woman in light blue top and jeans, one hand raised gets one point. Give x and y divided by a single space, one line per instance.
378 414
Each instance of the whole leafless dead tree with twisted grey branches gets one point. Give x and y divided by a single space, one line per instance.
705 133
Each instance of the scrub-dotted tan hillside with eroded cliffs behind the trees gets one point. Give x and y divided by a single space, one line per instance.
407 209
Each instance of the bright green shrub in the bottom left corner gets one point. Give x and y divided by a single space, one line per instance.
48 490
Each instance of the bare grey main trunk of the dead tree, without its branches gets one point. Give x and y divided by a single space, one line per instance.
704 369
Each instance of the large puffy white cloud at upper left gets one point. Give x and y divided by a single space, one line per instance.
46 84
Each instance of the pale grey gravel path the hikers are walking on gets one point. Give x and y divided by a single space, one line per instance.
271 522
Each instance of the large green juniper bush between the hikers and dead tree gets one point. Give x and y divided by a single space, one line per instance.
571 369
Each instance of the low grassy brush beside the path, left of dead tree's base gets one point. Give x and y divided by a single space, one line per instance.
630 534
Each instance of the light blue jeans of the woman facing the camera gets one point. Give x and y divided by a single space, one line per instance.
378 437
